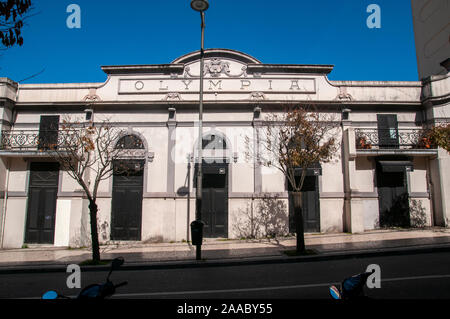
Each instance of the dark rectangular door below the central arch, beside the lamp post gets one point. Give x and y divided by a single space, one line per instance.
215 202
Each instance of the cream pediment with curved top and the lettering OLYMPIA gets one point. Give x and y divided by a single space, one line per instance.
227 74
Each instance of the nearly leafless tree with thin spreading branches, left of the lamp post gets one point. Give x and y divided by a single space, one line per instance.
90 153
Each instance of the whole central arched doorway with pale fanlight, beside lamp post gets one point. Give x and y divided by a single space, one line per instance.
215 169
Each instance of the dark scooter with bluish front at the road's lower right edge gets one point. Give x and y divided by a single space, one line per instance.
352 288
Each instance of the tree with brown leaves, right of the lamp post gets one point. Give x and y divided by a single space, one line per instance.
298 138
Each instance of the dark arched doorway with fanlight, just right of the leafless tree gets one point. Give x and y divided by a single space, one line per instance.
128 180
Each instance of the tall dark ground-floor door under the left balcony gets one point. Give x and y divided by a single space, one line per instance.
42 195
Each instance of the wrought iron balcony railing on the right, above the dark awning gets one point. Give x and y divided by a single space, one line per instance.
392 139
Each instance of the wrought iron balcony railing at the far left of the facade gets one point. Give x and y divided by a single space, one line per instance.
26 140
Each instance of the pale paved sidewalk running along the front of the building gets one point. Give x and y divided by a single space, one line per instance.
233 251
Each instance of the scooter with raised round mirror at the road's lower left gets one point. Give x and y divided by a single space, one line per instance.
94 291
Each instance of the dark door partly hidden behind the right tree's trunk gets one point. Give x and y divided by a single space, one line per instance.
311 206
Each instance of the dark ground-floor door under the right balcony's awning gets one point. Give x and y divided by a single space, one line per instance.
393 199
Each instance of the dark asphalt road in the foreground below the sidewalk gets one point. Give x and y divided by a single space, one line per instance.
423 276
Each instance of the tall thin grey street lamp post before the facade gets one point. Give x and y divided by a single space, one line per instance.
200 6
